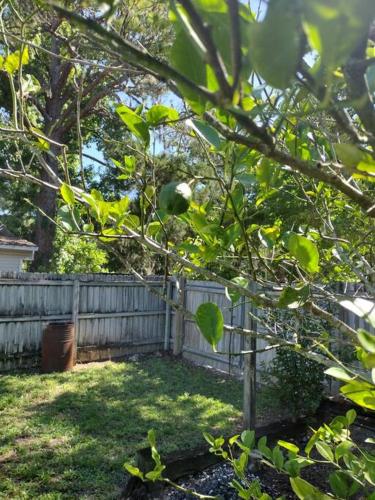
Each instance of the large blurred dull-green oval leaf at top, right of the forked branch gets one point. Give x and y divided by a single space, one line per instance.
275 44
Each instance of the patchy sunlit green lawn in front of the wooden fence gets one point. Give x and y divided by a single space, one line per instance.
68 435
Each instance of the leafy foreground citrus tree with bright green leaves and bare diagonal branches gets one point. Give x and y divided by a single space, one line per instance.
280 106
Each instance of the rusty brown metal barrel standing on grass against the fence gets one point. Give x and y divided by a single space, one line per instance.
58 347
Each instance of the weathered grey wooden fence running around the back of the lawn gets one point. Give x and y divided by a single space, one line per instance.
116 315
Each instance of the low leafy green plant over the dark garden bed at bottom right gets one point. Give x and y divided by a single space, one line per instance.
353 467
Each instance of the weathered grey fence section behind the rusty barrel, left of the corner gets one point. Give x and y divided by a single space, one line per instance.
113 315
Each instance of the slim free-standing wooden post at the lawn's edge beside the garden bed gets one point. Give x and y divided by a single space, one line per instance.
249 371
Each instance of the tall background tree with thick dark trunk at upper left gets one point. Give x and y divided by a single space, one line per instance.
66 92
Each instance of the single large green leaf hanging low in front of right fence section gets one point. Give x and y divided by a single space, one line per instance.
210 322
